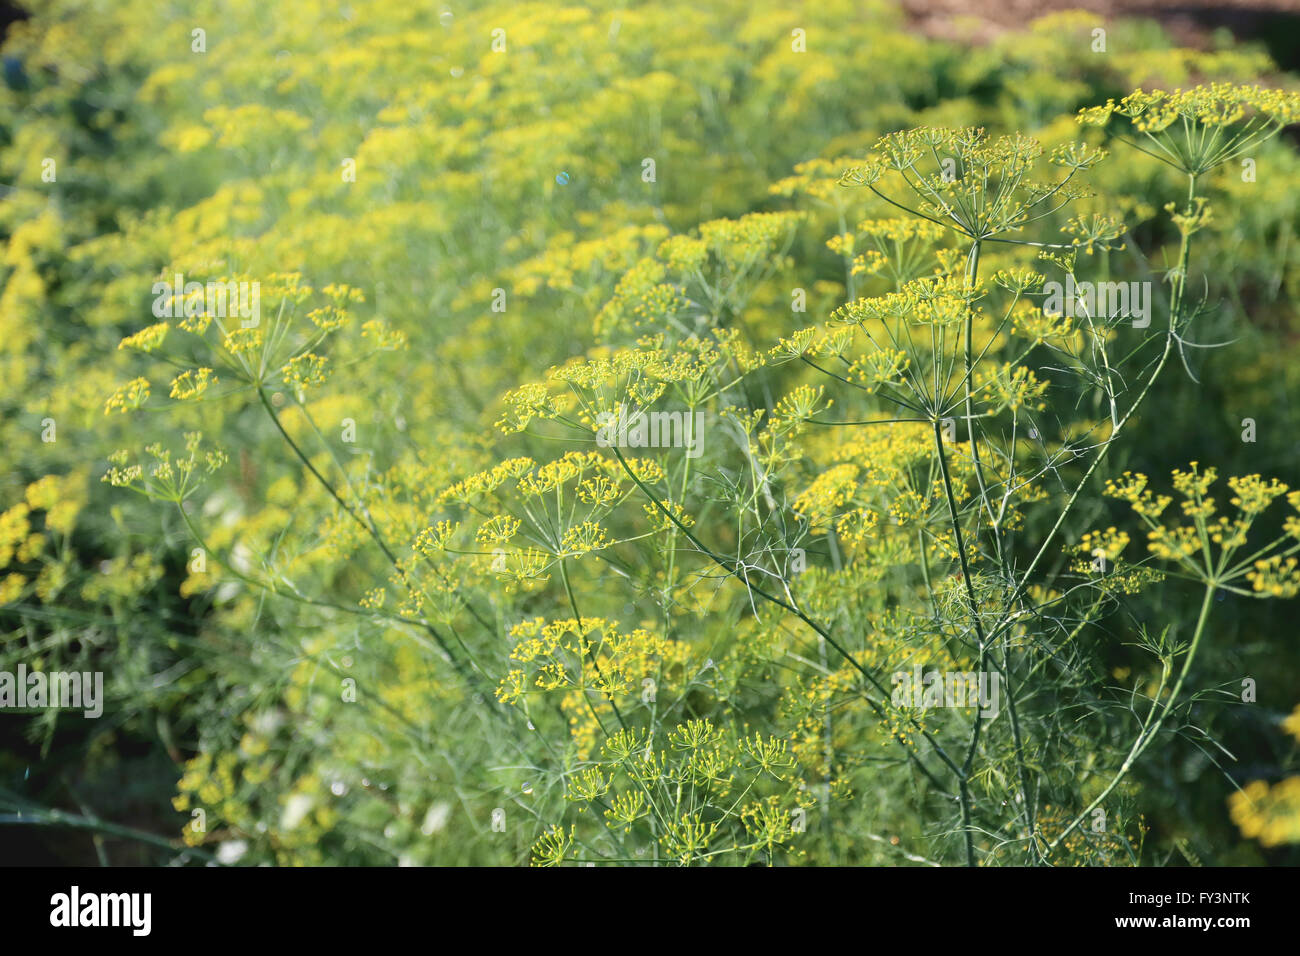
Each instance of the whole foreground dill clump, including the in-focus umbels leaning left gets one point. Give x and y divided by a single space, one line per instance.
690 661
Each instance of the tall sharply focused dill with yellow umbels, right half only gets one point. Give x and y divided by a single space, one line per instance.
943 347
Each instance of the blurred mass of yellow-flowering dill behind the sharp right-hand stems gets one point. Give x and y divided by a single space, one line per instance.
441 205
